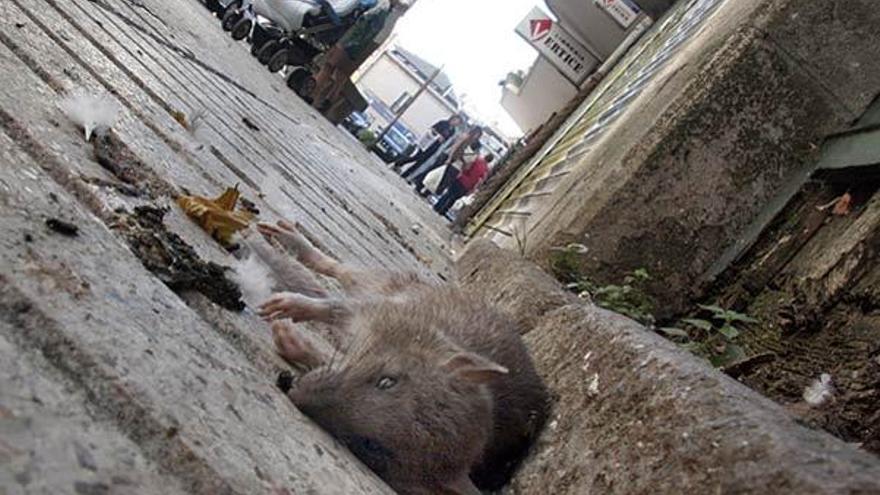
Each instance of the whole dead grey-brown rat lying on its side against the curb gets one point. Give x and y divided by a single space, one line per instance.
433 389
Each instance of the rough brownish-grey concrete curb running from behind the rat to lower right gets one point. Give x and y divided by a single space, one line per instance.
634 414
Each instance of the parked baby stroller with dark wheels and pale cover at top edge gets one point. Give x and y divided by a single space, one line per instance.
292 32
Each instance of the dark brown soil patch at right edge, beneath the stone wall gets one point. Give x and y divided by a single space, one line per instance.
811 326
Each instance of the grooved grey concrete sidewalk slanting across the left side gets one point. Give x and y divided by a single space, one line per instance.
111 382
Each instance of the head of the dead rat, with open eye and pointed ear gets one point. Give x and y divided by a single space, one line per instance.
413 406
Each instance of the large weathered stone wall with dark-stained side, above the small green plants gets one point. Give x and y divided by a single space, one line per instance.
740 110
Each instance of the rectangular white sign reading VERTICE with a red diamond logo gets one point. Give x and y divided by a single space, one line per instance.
555 44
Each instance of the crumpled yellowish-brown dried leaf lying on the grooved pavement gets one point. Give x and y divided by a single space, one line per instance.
217 216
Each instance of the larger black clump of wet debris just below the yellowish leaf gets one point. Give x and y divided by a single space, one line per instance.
173 261
